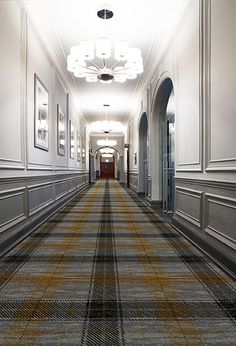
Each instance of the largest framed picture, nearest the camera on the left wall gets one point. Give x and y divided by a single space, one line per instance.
40 114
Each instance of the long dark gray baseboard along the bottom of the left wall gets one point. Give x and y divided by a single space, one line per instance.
11 238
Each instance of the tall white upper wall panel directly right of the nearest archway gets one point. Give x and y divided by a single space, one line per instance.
187 91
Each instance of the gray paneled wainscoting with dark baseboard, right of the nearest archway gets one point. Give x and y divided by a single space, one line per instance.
206 212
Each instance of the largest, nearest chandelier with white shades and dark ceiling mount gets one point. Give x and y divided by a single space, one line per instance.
128 62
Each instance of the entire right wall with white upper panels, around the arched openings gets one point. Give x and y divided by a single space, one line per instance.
201 64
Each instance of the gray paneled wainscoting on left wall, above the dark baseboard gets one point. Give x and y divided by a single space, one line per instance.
36 193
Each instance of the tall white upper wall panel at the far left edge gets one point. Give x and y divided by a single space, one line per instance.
10 83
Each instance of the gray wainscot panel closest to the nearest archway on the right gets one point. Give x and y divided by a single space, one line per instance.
189 205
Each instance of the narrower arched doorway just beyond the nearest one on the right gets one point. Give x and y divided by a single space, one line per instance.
143 154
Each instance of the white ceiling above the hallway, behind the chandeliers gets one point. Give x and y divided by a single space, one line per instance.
144 24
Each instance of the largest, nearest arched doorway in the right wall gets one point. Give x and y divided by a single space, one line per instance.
164 113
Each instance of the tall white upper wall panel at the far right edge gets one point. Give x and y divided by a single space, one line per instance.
223 81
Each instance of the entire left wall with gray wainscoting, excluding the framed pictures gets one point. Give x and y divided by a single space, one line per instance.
33 182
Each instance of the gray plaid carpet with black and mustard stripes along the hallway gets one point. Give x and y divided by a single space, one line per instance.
106 270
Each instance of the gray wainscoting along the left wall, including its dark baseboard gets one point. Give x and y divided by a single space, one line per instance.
26 202
